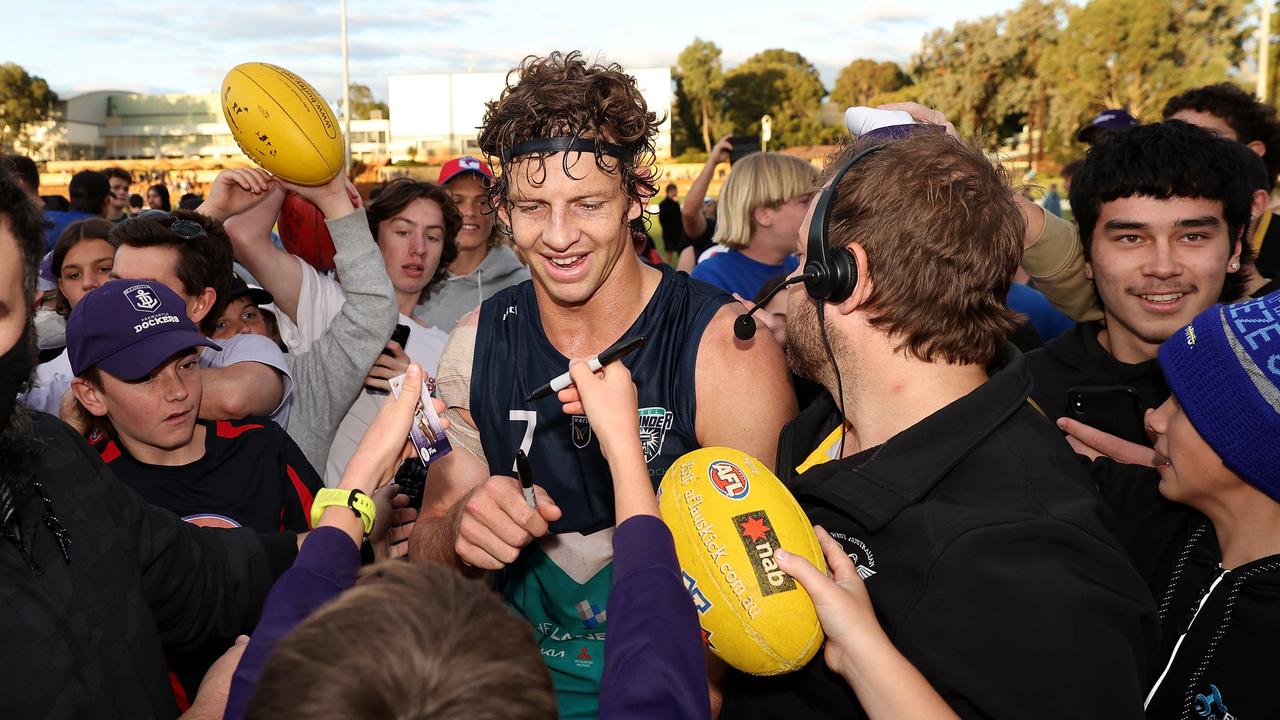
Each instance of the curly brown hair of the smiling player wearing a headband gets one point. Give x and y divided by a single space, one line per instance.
561 95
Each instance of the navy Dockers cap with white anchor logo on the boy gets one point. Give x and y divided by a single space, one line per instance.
129 329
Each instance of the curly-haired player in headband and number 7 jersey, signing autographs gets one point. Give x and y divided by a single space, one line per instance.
575 144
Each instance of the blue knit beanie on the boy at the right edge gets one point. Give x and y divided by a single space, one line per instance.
1224 370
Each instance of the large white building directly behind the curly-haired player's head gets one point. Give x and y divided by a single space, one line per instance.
436 117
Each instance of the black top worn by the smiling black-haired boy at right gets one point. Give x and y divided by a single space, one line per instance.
1076 358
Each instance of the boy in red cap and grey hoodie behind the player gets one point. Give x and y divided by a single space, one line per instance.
484 263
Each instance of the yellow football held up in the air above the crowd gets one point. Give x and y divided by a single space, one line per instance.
282 124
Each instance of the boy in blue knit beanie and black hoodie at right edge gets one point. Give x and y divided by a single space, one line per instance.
1208 531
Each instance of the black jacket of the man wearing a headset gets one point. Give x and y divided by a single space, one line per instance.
990 559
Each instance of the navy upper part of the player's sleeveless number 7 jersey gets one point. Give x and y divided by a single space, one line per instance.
514 358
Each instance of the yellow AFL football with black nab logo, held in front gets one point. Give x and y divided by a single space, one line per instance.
729 514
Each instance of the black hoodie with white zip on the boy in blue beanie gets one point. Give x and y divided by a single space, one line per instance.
1229 658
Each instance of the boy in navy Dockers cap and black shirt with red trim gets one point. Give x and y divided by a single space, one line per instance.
135 356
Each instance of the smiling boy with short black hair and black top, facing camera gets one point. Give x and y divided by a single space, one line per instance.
1162 218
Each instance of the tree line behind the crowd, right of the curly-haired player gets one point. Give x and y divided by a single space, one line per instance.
1046 66
